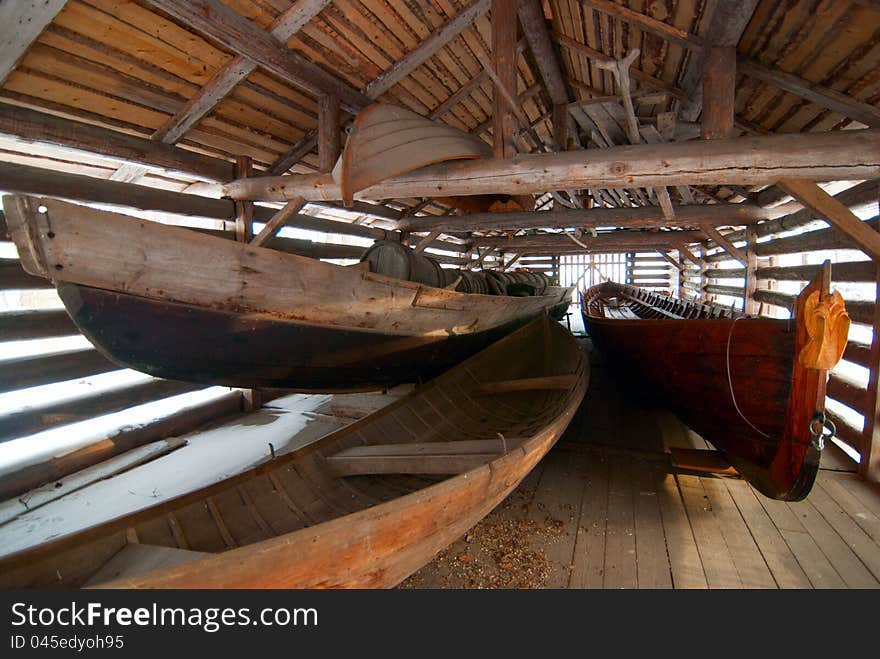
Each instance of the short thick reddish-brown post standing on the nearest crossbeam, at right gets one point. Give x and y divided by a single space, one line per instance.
719 85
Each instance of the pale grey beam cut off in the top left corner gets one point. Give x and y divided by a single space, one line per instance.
21 23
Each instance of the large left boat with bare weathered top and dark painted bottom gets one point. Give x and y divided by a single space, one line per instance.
182 305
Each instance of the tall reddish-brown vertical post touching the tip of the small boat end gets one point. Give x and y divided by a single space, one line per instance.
504 24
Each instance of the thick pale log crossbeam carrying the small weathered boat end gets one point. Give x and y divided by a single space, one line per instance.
830 156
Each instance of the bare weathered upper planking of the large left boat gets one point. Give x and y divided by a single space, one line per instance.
69 243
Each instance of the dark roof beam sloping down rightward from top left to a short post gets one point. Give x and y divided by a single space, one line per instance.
226 26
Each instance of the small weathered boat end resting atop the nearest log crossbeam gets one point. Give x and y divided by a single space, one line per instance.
387 140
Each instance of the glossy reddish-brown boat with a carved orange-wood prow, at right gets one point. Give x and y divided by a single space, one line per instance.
752 386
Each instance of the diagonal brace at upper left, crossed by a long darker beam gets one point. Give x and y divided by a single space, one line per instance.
226 79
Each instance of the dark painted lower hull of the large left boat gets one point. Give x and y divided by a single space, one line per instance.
194 344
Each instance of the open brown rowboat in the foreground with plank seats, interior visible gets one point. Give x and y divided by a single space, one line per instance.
364 506
